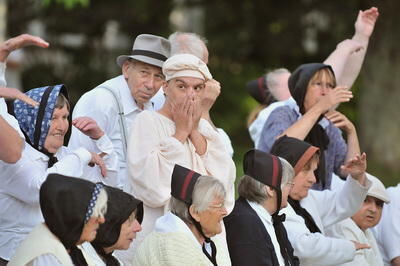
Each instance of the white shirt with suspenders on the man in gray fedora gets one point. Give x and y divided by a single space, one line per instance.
100 105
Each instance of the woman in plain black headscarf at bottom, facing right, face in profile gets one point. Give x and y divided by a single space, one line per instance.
123 218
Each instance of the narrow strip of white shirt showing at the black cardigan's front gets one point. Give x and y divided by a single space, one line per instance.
266 219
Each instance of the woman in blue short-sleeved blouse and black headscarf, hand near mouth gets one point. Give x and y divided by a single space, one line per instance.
313 87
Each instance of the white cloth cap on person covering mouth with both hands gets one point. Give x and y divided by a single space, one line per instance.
185 65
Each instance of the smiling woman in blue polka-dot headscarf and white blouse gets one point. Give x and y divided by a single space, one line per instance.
44 127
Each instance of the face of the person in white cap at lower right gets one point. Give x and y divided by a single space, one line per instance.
369 214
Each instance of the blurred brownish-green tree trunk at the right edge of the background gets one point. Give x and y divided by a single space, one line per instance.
379 106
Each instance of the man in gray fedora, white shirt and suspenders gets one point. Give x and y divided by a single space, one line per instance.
115 103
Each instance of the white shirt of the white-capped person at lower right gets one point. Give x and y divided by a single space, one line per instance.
348 229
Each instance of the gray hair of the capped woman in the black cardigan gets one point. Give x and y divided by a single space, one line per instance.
253 190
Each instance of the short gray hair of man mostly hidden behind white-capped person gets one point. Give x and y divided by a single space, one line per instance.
187 43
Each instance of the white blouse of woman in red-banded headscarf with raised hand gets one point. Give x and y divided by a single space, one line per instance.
327 208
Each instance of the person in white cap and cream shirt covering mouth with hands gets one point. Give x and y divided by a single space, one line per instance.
176 134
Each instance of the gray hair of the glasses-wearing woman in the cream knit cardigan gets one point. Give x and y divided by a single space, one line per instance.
205 190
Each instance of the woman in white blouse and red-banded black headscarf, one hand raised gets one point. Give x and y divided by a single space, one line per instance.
309 211
